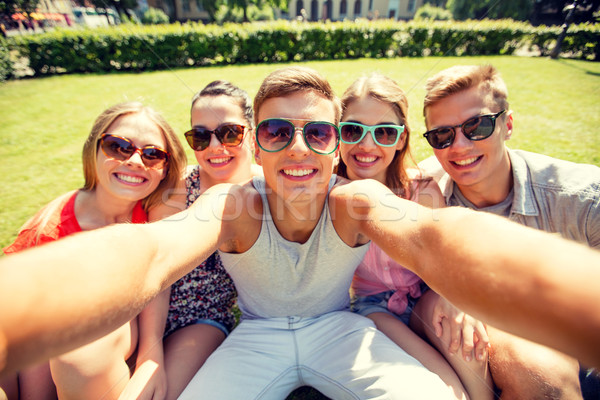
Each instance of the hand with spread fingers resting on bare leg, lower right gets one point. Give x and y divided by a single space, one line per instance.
463 329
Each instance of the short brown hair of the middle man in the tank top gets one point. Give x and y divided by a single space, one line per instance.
286 81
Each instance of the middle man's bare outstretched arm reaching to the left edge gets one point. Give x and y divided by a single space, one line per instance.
59 296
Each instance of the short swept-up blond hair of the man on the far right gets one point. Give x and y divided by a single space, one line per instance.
462 77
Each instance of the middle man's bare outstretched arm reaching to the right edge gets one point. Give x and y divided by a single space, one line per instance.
531 283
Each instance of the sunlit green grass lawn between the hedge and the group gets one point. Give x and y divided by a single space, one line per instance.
45 121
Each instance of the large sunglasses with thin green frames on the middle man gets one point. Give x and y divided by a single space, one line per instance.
275 134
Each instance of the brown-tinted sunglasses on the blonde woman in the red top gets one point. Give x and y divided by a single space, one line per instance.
121 149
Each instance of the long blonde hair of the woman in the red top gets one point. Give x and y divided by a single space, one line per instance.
177 157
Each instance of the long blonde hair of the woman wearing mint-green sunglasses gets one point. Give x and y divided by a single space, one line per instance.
384 89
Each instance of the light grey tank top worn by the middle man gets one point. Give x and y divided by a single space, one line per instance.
279 278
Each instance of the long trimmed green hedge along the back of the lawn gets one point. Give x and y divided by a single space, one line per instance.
140 48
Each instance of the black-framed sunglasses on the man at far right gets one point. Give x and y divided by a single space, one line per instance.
476 128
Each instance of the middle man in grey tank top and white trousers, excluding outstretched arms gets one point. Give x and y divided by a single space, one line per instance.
292 265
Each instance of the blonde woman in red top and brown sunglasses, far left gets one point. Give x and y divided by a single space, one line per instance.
131 159
